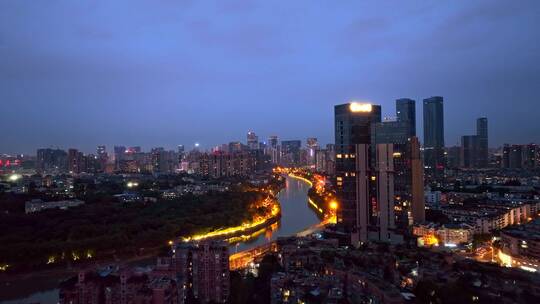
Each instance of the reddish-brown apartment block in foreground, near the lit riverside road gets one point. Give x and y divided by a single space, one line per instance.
204 269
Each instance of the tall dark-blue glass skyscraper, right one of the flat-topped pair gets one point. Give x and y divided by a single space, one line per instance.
434 138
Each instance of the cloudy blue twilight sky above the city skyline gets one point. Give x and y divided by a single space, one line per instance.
164 72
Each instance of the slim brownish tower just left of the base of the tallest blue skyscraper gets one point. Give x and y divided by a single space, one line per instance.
417 168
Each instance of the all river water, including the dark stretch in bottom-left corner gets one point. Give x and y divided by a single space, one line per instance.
295 217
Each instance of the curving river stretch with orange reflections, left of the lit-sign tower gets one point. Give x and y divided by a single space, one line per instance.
295 217
